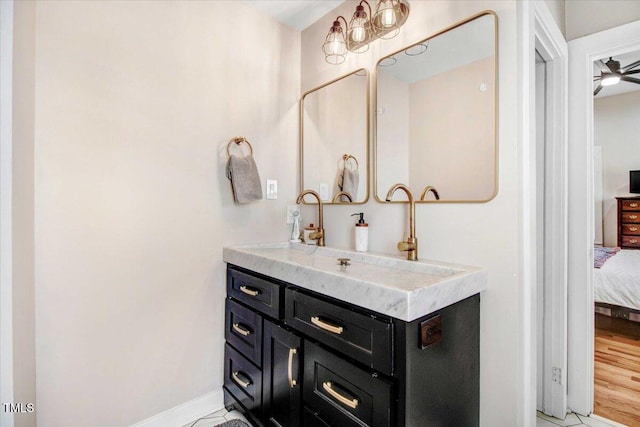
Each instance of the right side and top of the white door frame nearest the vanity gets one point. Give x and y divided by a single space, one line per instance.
551 45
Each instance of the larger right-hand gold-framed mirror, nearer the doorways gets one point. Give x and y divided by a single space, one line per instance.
436 115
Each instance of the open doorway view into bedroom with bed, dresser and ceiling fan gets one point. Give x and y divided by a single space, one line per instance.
617 333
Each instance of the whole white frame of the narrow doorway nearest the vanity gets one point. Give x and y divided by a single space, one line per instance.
538 30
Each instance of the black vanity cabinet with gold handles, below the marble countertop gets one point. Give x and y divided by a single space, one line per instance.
297 358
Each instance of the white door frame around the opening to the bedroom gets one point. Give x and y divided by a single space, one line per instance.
582 52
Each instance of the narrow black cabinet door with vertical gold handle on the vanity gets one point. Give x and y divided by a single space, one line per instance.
282 388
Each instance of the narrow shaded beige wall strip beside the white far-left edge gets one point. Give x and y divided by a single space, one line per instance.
23 210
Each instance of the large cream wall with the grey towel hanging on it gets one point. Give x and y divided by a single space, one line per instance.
135 103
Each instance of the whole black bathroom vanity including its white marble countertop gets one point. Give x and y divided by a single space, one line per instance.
378 342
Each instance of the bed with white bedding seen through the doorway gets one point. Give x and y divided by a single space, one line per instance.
617 283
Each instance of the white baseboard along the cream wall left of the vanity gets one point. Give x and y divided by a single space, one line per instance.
187 412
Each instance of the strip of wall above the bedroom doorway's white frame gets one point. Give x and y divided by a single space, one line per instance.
584 17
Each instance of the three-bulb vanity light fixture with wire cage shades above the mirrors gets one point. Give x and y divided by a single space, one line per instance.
364 28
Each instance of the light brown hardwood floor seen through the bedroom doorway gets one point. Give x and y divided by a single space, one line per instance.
617 376
